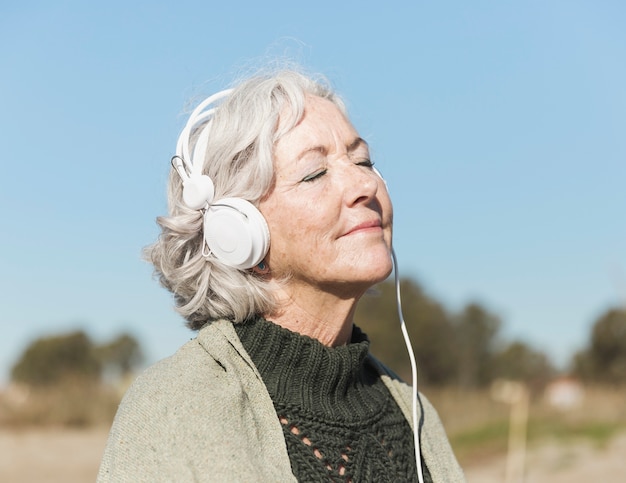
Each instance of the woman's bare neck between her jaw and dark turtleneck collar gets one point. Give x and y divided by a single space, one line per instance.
316 313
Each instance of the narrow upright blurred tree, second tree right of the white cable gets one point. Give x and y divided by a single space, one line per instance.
476 331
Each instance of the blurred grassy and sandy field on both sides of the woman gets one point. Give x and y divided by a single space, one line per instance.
585 442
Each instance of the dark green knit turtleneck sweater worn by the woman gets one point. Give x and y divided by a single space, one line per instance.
339 419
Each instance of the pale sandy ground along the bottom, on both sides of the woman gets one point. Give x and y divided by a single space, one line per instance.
73 456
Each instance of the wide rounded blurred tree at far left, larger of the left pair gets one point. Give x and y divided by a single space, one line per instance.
49 360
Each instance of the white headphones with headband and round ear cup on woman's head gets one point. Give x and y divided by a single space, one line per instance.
234 230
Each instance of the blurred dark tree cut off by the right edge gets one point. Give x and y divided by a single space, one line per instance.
605 359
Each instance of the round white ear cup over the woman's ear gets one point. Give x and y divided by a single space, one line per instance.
236 233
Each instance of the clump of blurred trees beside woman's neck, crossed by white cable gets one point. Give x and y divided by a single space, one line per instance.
462 349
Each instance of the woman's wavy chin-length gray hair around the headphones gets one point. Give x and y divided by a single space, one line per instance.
239 160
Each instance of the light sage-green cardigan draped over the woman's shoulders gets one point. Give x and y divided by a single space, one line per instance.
204 414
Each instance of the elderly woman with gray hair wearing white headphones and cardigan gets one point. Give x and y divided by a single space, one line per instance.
278 224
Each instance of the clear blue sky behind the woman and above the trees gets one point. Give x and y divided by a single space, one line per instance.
500 127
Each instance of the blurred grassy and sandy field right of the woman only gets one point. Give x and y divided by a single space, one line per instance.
581 443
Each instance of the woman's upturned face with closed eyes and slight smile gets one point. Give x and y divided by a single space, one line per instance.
329 213
